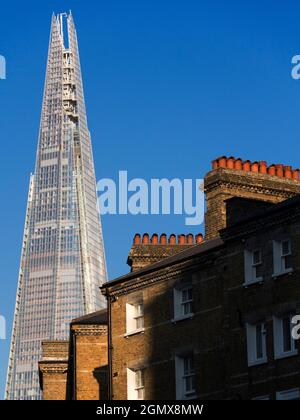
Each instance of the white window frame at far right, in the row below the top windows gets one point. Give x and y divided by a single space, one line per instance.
279 352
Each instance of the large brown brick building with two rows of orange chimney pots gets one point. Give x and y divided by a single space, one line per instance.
211 319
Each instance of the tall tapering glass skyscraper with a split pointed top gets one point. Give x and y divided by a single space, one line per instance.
62 261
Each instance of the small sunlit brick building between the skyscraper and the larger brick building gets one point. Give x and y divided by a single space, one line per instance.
77 369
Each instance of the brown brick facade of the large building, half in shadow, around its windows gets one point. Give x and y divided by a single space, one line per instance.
222 306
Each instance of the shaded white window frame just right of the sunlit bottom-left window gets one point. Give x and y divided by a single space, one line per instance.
181 376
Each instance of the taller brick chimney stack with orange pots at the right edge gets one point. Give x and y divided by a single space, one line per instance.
251 180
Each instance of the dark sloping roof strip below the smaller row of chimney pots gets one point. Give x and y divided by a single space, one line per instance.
187 254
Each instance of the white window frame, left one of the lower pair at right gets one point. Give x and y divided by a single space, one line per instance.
251 330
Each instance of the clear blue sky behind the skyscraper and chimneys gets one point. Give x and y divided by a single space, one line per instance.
169 85
